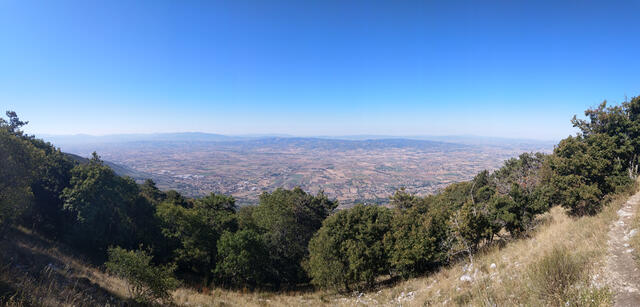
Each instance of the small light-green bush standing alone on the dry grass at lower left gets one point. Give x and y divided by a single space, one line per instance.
146 281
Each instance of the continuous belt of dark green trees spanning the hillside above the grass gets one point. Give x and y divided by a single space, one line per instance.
294 240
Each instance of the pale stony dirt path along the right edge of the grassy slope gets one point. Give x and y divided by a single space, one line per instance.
623 274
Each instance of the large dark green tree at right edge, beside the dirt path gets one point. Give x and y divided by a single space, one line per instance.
602 158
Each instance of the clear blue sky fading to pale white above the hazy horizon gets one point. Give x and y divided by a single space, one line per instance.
493 68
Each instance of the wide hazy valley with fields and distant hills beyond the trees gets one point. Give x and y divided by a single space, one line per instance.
351 169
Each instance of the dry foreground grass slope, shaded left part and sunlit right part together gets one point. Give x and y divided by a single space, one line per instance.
519 276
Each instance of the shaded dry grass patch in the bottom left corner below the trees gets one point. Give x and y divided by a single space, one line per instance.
36 272
